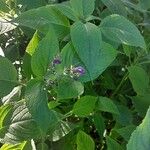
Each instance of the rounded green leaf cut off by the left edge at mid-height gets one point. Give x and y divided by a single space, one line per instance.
8 77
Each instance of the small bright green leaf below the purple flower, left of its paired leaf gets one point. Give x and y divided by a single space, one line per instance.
84 106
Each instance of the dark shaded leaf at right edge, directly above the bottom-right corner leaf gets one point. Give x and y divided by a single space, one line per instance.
141 103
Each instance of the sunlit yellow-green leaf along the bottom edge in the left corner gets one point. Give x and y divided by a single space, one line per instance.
21 146
